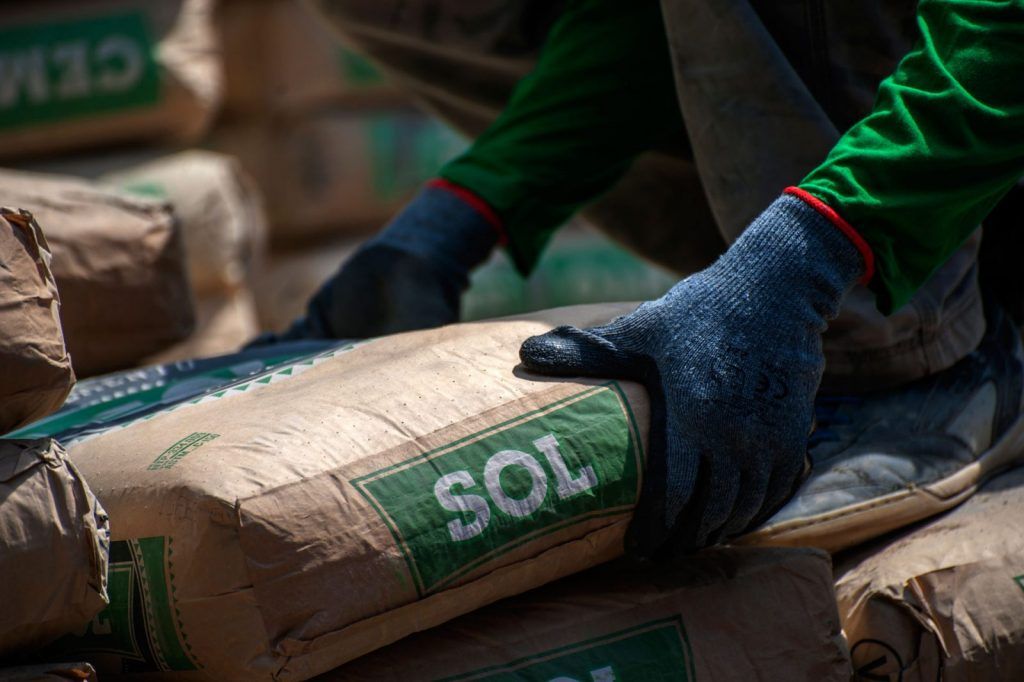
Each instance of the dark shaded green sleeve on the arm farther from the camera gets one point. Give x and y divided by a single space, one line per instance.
603 92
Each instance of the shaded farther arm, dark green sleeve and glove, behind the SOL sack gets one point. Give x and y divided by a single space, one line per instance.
602 94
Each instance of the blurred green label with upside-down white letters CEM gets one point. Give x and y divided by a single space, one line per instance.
73 69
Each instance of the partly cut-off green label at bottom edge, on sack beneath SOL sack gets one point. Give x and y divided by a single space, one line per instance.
657 651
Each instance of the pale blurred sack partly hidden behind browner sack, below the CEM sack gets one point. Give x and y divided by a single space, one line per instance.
221 210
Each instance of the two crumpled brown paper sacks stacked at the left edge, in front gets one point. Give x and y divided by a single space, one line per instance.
54 533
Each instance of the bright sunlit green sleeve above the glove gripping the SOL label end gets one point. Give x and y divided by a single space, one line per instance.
945 143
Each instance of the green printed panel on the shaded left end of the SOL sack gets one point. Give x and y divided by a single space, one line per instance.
141 624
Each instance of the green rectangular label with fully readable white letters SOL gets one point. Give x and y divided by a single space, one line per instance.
466 503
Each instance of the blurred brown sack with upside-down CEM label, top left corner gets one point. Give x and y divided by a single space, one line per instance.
90 74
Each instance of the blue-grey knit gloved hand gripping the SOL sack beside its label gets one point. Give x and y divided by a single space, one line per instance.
733 360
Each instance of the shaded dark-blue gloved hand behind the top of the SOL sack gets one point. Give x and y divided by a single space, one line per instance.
410 276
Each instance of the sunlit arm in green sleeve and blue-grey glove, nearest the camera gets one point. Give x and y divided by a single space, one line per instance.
733 357
